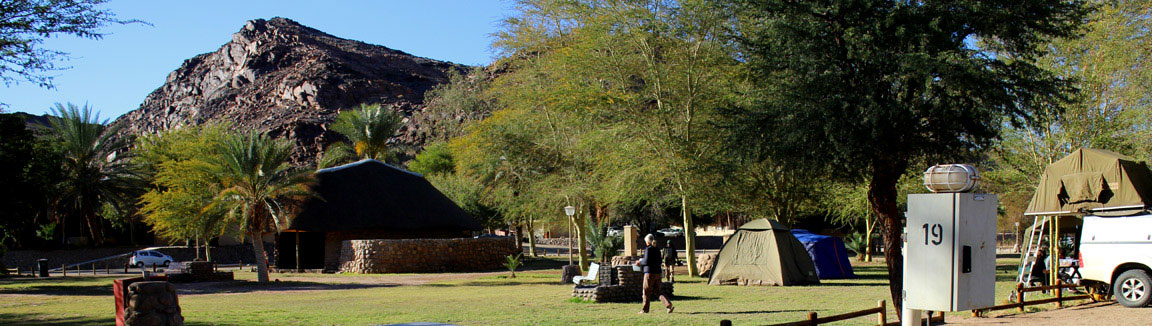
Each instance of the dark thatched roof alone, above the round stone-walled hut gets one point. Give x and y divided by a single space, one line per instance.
373 195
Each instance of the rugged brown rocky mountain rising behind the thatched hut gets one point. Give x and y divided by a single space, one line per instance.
290 81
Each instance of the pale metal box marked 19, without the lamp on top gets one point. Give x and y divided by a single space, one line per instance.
950 264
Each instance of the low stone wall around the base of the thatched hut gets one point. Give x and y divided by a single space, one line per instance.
426 255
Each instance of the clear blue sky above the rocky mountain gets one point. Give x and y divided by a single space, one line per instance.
115 74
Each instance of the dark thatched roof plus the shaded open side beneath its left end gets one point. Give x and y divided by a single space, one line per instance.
368 200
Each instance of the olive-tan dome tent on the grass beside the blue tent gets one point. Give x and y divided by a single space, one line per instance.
763 253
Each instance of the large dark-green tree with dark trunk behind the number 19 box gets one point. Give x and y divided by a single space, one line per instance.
865 88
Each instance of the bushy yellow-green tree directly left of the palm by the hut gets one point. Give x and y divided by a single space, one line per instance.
179 204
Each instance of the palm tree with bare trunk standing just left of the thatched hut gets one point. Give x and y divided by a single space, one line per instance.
259 185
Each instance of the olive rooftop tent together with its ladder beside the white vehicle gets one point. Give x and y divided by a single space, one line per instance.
1088 181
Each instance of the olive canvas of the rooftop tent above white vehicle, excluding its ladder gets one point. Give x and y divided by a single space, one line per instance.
1093 179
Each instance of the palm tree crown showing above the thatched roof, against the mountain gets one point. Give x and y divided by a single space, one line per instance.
368 130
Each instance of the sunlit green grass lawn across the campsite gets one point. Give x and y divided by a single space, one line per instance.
534 298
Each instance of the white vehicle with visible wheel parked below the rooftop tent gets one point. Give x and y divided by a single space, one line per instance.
1116 254
